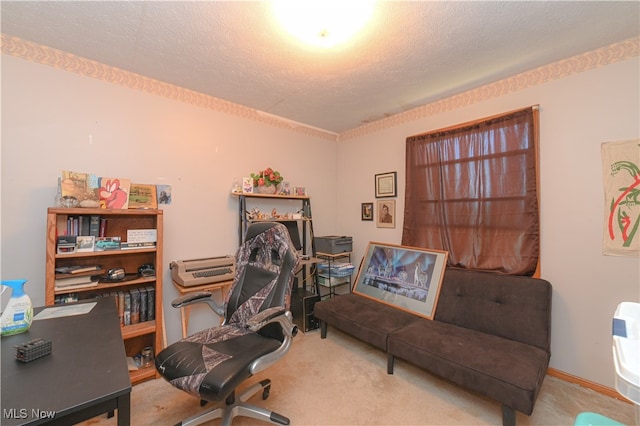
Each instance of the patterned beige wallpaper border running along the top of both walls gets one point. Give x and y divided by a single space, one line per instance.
34 52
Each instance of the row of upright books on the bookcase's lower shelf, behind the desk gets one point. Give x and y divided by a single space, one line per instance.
135 305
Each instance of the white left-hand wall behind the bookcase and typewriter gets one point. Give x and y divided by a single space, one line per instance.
54 120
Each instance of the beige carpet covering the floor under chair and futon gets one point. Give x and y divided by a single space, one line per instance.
342 381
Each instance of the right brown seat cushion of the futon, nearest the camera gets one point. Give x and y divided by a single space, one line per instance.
510 372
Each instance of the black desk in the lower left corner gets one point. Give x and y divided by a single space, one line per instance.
85 375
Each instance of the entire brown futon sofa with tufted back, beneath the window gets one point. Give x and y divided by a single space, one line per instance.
491 334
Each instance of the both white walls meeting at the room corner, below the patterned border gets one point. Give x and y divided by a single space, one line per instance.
48 116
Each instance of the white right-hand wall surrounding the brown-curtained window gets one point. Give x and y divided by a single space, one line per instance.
577 114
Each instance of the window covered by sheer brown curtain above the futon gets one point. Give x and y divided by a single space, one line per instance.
472 191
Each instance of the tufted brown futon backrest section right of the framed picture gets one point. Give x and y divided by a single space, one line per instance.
513 307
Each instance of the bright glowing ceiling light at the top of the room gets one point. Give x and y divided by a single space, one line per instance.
323 23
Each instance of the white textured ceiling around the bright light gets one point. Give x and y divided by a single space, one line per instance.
411 54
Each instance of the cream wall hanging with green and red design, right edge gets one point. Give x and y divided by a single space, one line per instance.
621 174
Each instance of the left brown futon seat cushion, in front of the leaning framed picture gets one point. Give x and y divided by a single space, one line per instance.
363 318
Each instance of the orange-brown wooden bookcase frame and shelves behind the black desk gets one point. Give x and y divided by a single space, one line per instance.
136 336
